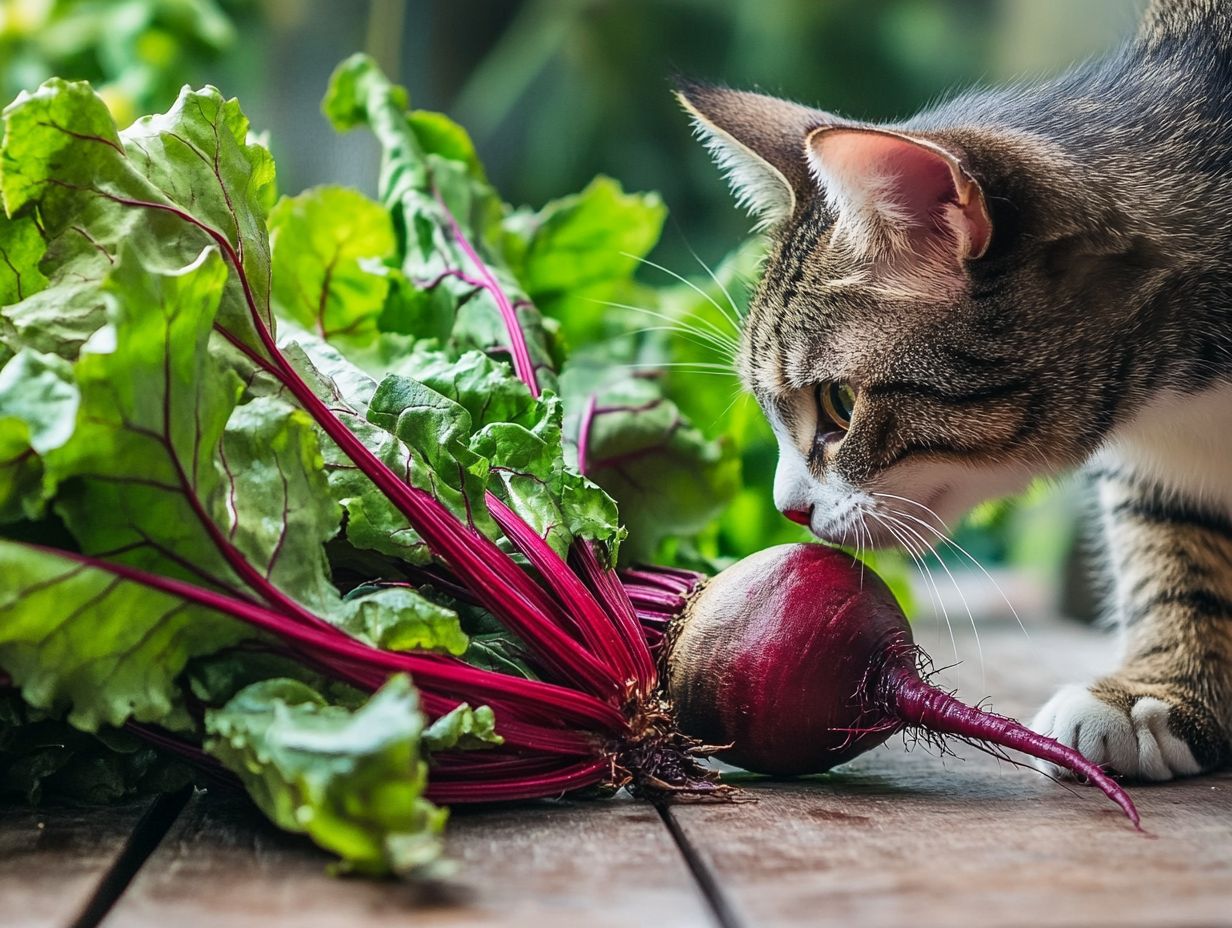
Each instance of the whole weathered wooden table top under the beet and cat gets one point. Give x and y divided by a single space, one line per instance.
898 839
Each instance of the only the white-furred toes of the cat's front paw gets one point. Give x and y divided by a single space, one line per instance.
1139 745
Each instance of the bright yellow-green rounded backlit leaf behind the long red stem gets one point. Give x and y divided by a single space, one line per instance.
328 247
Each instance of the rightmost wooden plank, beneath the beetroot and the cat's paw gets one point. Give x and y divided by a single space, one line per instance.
907 839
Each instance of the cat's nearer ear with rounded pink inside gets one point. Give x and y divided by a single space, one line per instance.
902 193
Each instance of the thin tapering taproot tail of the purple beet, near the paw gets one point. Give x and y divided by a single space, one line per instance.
909 698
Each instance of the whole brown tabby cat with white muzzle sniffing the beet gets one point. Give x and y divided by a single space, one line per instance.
1017 283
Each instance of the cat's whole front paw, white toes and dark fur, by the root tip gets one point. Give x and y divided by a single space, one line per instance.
1135 735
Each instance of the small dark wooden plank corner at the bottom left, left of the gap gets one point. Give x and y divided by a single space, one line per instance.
59 865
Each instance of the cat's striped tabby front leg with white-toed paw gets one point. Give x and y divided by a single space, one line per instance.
1167 712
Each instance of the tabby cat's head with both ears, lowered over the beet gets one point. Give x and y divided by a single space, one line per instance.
914 340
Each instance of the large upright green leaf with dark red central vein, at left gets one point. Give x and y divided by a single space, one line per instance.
155 404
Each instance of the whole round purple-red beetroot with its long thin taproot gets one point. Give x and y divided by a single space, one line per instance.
798 661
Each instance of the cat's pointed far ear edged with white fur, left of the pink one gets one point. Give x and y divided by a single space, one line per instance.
758 141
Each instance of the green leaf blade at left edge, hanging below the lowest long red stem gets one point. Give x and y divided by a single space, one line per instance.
78 639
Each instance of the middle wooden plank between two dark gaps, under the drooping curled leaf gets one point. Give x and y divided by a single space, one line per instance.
551 865
